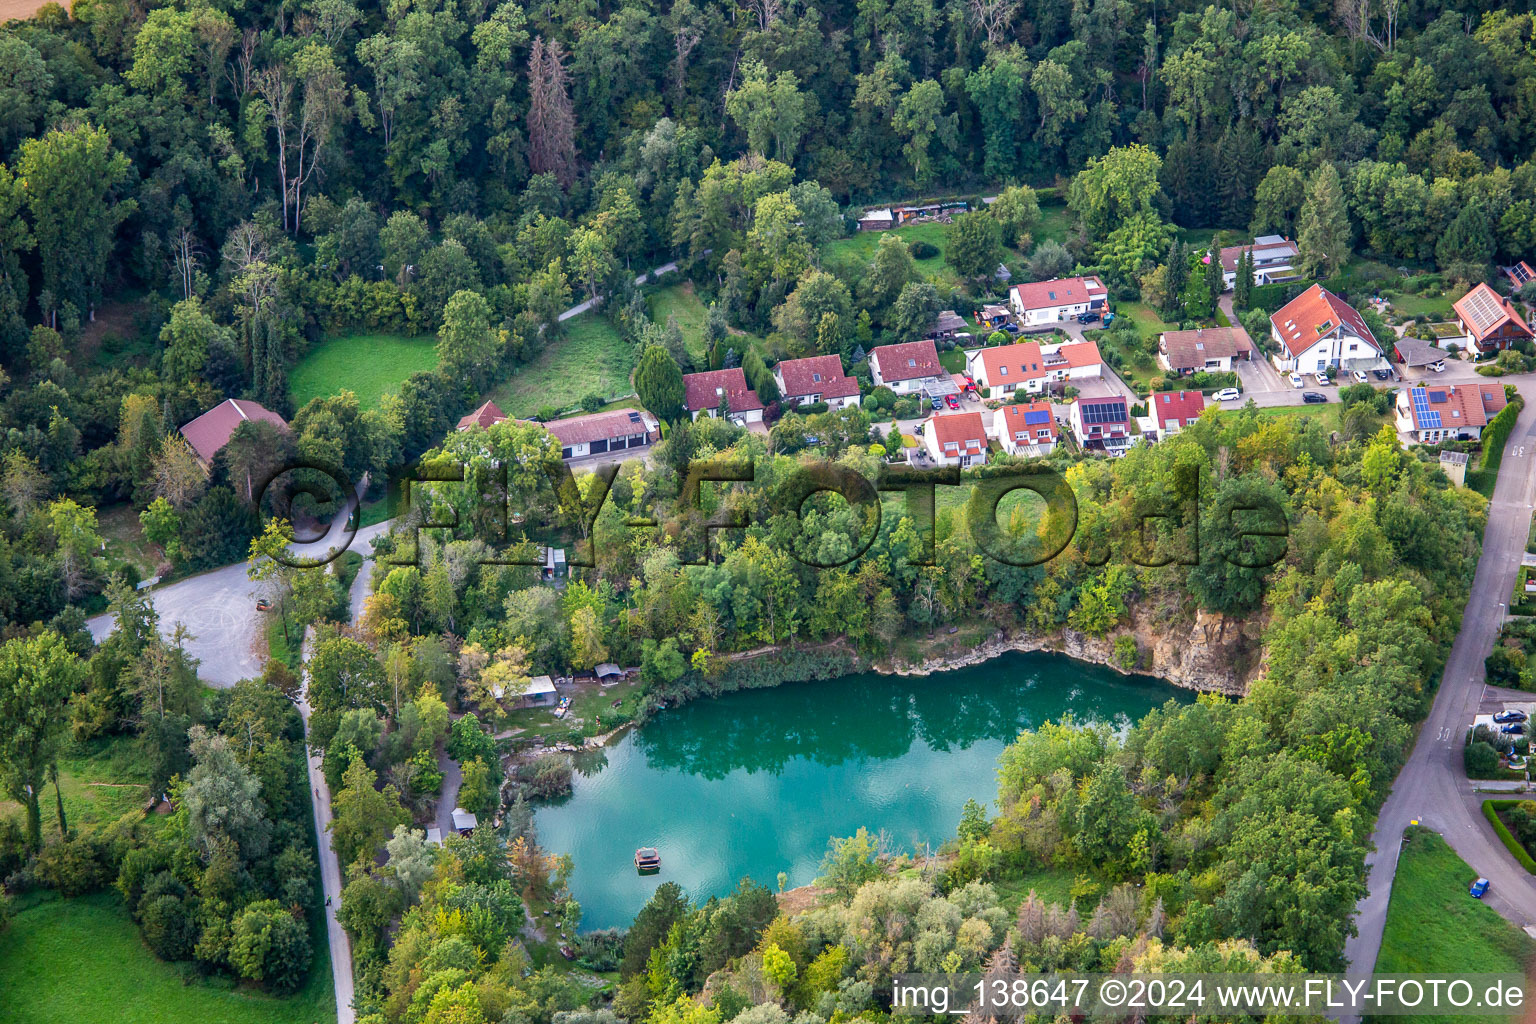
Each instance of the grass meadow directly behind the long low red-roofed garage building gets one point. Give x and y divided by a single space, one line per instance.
589 358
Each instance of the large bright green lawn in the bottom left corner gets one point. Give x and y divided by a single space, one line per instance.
81 962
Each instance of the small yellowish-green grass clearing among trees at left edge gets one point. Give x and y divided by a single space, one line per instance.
102 781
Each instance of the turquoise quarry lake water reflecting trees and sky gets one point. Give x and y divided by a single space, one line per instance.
756 782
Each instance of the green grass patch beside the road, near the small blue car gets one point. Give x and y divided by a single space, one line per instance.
1431 888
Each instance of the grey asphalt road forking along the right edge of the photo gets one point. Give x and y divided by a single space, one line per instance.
1432 787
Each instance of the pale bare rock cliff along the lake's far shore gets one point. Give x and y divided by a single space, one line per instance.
1213 655
